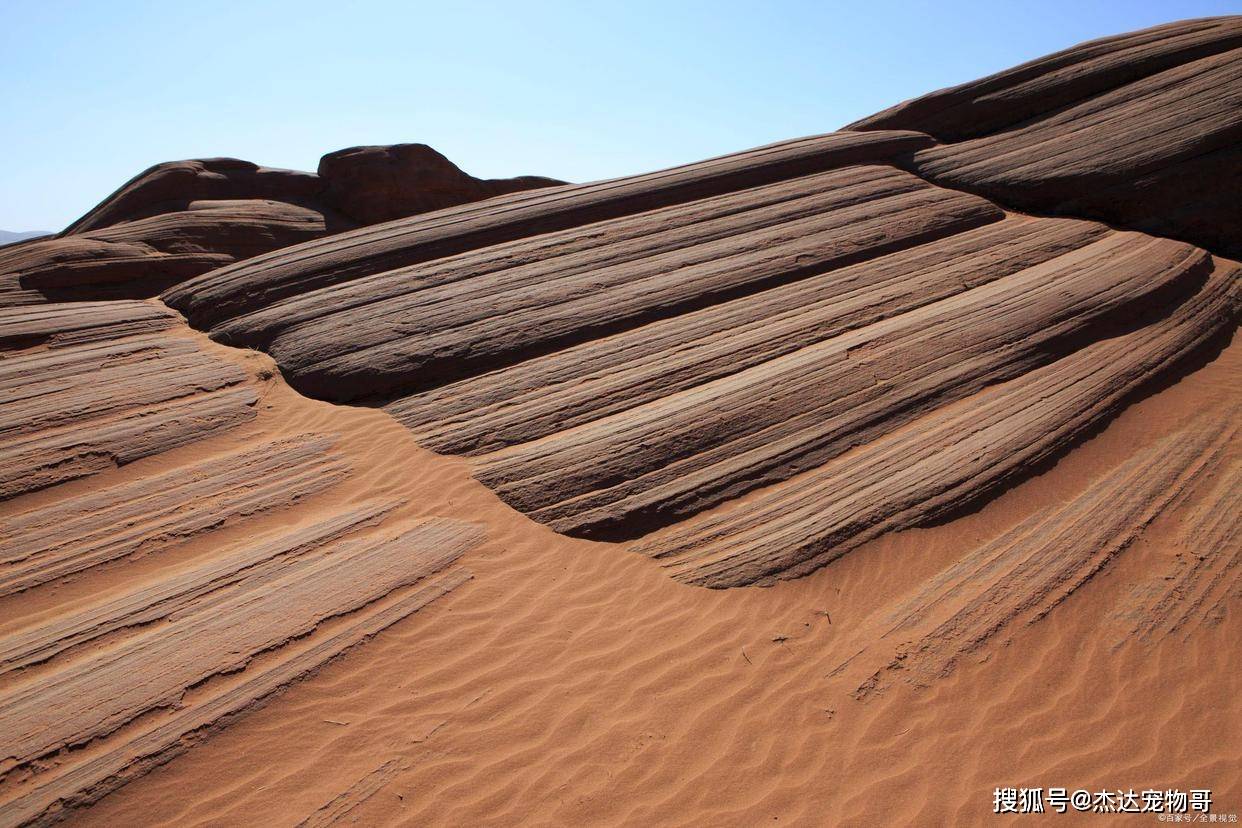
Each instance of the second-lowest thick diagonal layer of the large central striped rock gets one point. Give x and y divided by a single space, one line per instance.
690 451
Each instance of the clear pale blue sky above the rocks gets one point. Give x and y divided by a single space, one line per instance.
96 91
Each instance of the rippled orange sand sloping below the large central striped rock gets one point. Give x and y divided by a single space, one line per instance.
574 683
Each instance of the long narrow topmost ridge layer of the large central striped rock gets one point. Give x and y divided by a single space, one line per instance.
242 291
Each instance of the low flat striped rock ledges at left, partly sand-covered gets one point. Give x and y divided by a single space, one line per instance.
126 677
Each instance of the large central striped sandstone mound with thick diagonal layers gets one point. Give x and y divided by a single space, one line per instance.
848 344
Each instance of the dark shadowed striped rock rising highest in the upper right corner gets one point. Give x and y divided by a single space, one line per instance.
1142 130
